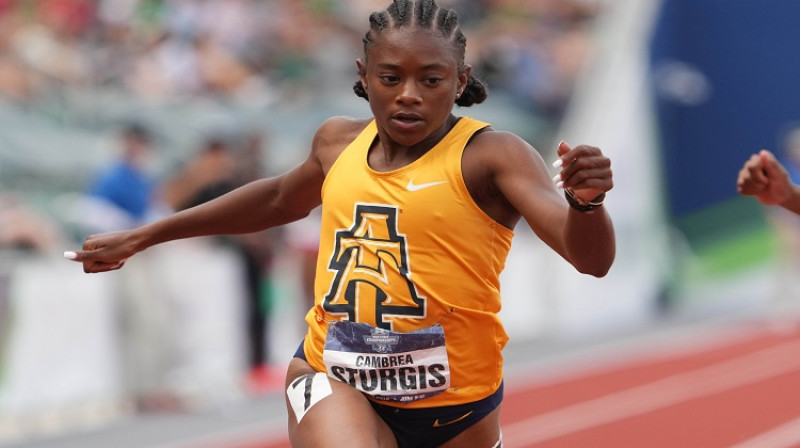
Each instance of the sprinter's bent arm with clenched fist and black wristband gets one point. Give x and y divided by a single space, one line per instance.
585 239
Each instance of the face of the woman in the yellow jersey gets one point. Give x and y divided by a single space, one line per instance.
411 77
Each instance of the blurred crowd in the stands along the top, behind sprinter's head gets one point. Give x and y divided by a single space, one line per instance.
261 51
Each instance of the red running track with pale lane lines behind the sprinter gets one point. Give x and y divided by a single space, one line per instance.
737 391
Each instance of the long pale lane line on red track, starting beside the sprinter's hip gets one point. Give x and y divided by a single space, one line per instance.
738 372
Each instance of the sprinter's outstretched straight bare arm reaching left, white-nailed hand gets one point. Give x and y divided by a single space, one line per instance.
256 206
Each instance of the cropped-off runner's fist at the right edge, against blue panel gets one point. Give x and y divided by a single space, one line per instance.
763 177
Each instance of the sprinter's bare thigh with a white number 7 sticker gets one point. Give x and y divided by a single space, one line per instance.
326 413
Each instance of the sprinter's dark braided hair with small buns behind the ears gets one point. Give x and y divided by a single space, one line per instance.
425 14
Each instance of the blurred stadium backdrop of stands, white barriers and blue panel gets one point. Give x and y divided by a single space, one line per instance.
677 92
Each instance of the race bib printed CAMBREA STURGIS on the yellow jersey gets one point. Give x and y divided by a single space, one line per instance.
385 364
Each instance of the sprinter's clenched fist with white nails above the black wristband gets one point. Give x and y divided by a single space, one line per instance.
585 170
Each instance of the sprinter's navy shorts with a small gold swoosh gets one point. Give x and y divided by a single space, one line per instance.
431 427
